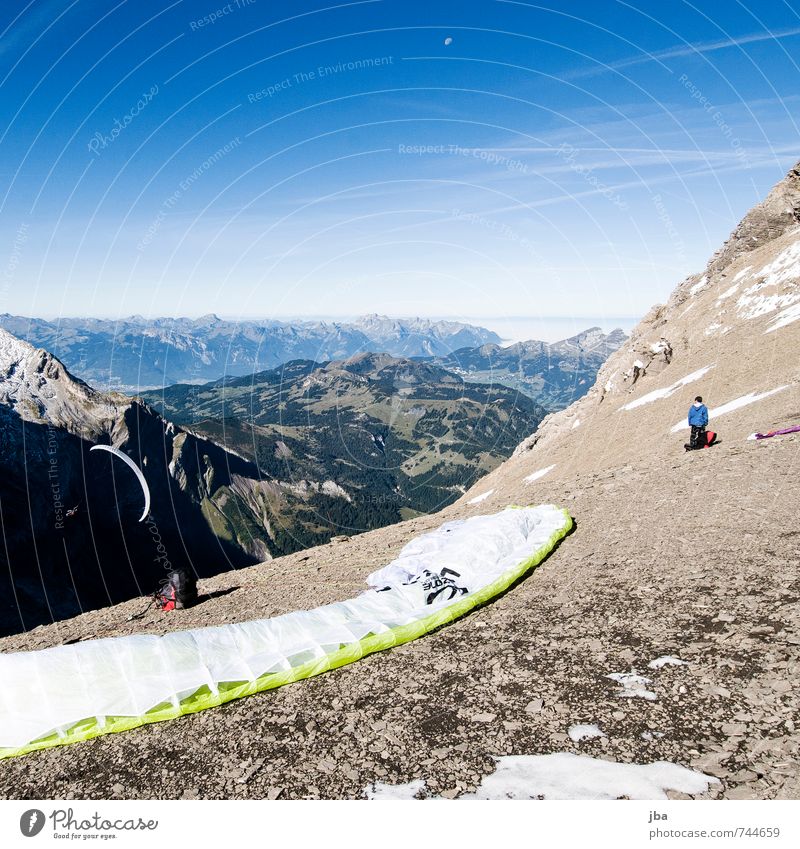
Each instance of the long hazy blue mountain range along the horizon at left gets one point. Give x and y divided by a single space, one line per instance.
135 353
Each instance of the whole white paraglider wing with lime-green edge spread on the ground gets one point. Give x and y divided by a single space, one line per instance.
75 692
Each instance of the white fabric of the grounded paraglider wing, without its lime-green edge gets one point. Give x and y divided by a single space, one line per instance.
50 690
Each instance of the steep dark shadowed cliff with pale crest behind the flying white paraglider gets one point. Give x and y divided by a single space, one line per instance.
56 563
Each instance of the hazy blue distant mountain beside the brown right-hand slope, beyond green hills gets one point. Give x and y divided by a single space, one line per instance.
554 374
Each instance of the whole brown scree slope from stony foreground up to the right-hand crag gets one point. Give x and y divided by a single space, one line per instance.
692 556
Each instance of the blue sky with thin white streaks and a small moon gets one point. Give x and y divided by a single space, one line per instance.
412 158
